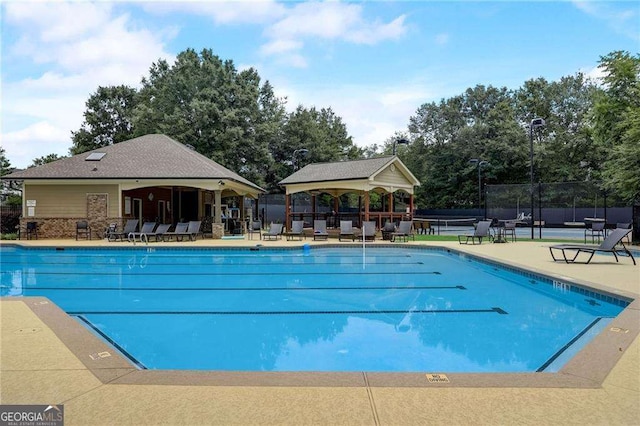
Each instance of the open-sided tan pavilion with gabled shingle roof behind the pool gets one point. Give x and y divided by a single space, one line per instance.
384 175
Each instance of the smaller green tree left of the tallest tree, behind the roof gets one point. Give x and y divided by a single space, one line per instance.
107 119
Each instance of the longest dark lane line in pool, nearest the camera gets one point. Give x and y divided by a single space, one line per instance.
393 311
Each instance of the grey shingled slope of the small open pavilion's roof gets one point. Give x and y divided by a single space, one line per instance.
342 170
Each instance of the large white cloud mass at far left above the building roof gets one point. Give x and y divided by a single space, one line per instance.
79 46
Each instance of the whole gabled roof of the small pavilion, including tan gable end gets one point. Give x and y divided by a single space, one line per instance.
387 173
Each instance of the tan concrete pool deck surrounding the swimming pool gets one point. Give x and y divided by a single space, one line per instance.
43 361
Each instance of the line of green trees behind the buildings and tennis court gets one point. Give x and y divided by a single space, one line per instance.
591 129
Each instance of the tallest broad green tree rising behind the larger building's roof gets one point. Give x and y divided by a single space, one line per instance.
205 102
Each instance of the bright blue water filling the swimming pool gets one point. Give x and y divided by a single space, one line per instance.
321 309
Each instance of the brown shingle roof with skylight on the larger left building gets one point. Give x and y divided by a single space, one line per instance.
147 157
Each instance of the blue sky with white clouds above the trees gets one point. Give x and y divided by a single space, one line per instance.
374 63
